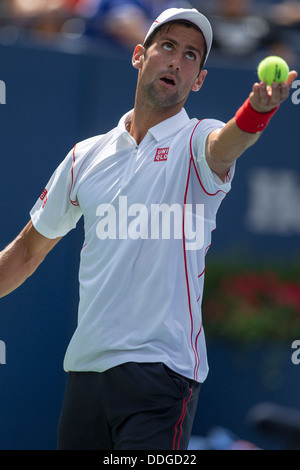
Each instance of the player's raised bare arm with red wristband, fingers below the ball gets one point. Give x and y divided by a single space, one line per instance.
226 145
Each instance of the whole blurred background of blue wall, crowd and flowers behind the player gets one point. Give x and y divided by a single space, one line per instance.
66 66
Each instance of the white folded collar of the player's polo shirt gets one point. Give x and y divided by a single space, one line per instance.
162 130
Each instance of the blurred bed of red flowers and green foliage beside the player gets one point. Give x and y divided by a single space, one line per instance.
252 306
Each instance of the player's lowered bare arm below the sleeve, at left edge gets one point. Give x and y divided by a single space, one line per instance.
22 257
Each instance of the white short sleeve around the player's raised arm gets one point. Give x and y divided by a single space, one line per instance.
209 179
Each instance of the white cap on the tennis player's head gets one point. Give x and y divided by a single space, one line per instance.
190 14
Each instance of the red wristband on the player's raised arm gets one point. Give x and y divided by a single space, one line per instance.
251 121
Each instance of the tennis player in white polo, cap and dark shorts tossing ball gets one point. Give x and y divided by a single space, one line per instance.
138 356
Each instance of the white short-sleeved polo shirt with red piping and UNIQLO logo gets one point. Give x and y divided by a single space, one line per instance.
149 212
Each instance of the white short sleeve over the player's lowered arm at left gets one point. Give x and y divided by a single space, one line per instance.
55 213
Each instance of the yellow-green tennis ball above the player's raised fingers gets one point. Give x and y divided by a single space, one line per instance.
273 69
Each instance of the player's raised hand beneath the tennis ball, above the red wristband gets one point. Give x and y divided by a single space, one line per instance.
265 98
